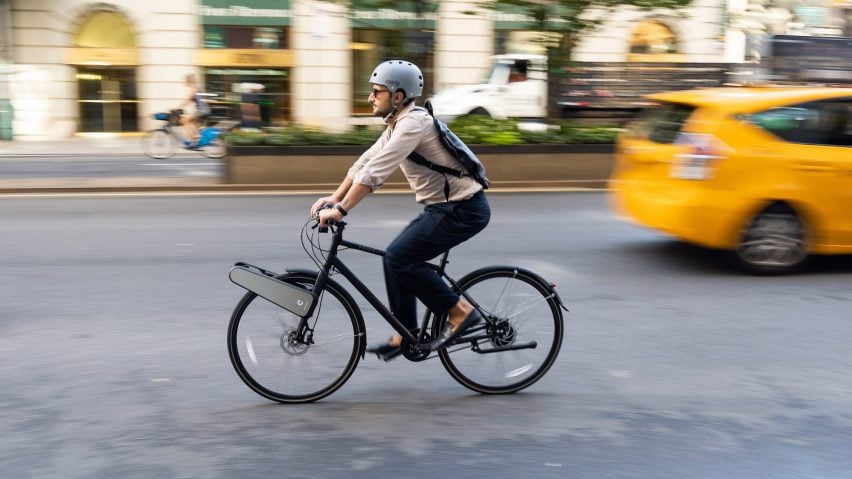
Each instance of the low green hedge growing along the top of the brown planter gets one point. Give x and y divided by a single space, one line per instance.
474 130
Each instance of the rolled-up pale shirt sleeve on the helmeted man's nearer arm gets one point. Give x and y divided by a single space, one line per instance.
377 163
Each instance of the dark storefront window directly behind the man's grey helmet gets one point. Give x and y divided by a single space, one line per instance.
372 46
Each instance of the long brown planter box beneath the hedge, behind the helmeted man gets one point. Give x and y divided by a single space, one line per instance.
517 166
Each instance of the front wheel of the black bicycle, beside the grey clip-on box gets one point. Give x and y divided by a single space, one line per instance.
281 371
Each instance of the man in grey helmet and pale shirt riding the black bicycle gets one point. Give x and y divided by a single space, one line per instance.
455 208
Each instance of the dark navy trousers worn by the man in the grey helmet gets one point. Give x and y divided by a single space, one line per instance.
438 228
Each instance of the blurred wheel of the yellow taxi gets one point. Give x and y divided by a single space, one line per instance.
775 241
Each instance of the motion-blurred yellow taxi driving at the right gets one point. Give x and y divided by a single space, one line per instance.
765 172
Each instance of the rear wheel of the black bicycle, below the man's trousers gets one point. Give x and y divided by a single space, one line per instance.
520 308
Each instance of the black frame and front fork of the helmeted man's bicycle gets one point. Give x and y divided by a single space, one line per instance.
334 263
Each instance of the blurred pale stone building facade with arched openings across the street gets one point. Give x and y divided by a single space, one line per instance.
78 66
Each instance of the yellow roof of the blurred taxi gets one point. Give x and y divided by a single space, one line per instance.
745 98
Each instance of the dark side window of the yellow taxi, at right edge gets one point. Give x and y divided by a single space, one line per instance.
826 122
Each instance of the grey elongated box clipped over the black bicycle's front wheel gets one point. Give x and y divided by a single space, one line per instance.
296 300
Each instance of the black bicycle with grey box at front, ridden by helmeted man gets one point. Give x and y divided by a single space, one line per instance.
297 337
